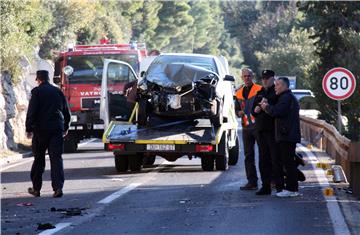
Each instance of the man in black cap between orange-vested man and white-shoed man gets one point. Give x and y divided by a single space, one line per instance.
269 164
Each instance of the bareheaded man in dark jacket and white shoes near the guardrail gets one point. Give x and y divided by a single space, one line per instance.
287 132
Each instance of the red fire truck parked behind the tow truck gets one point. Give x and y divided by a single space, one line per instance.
78 72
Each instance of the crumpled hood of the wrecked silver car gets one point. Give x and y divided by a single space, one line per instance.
173 75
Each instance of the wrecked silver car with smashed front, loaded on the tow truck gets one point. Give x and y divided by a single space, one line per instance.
184 86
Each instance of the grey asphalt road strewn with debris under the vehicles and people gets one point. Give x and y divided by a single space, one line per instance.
170 198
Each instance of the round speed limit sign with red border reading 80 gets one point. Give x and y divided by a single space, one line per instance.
339 84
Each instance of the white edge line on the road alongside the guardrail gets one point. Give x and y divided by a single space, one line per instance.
335 213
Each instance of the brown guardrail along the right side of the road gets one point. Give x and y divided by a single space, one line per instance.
345 153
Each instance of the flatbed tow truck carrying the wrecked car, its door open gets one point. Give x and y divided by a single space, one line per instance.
136 146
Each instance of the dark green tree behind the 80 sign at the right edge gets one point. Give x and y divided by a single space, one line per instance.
336 31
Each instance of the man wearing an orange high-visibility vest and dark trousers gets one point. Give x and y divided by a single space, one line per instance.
245 97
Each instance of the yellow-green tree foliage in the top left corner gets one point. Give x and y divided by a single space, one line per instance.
22 25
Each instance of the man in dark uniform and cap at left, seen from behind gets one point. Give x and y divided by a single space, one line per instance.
47 122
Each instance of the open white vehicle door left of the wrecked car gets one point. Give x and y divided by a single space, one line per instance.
118 79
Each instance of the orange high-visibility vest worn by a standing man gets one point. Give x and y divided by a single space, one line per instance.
246 104
